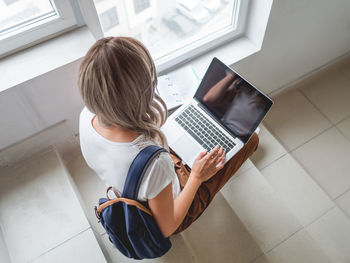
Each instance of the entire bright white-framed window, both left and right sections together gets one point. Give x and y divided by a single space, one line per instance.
173 30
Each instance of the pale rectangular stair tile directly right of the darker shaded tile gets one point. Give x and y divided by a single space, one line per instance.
258 207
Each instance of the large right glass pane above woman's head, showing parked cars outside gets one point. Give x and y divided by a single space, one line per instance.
166 25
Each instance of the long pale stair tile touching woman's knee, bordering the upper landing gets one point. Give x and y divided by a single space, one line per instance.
288 179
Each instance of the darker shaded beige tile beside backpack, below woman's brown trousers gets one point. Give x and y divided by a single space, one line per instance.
219 236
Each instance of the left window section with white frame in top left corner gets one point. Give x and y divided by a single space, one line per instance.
25 21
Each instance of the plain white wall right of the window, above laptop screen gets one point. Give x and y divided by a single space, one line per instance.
301 36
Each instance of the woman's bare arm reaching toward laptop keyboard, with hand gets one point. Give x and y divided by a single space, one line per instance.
169 213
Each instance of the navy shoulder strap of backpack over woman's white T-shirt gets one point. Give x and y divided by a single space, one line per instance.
137 170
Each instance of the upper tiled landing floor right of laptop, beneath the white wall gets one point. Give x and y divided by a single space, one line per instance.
313 123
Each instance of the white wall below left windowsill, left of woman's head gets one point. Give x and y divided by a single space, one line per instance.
46 109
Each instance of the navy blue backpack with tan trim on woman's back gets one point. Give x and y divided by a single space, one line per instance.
129 223
